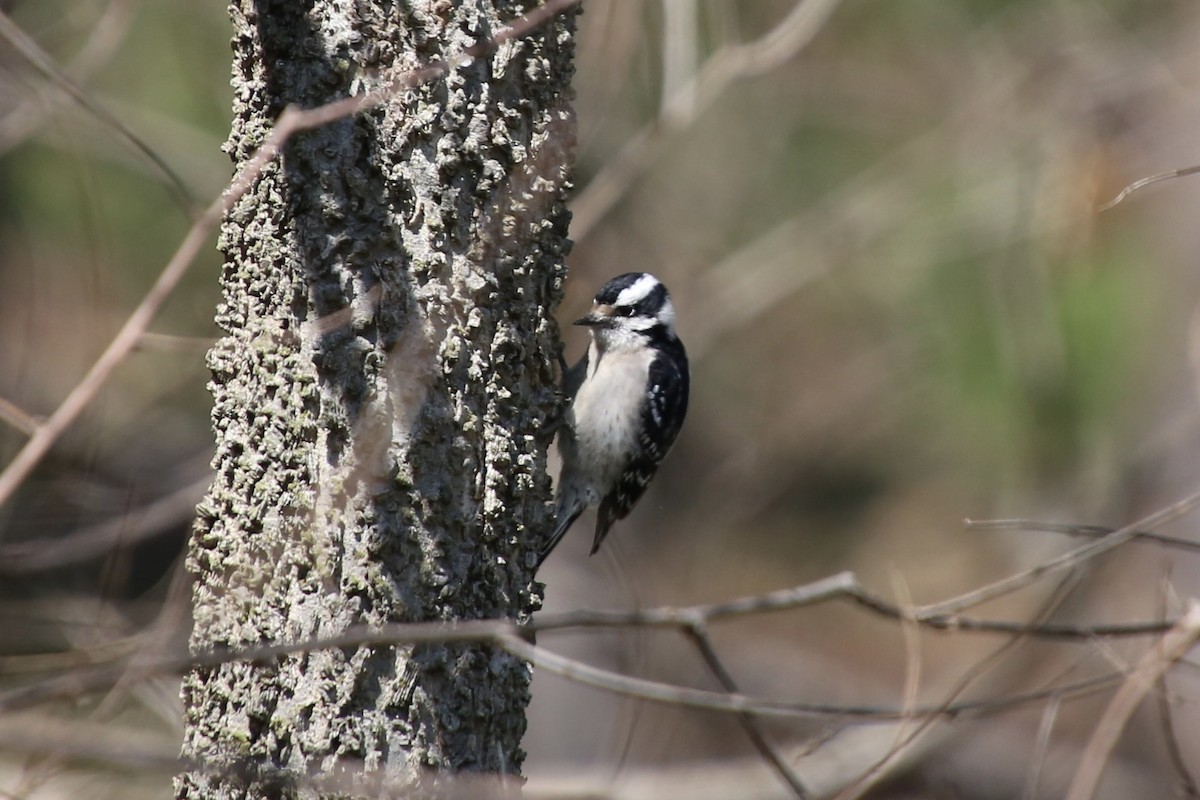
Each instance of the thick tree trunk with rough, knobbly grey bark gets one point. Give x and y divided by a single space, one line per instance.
380 396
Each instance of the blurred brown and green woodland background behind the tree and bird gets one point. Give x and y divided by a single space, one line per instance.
880 226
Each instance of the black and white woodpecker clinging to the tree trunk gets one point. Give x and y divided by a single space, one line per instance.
627 402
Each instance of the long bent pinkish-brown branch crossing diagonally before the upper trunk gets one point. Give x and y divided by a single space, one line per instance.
291 122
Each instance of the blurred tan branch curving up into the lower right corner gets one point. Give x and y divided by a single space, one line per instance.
1145 676
